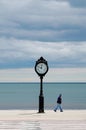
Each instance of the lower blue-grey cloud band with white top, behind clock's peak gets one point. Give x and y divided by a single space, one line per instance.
59 54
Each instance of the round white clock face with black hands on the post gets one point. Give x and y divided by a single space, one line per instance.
41 68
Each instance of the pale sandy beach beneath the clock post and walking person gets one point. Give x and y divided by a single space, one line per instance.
50 120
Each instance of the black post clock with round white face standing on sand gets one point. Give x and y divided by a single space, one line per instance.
41 68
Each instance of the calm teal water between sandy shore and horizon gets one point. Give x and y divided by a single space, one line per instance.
25 95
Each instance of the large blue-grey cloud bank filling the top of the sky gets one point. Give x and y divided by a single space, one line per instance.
42 20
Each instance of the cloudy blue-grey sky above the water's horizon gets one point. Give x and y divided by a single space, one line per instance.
54 29
